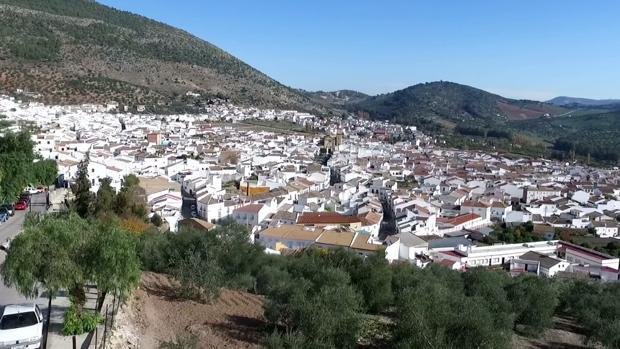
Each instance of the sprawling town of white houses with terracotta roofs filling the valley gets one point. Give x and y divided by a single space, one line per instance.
342 182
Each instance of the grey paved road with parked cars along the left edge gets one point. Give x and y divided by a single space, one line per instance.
10 229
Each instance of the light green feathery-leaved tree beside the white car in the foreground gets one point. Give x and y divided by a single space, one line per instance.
65 252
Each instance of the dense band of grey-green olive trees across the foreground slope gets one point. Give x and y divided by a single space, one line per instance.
320 298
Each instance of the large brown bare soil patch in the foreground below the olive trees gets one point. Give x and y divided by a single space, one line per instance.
154 314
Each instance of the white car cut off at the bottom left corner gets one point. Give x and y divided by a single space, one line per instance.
21 327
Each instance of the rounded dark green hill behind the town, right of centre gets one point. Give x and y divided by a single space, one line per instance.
450 103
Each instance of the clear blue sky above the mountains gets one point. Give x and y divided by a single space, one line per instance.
534 49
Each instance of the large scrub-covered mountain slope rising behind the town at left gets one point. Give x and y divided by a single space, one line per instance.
79 51
